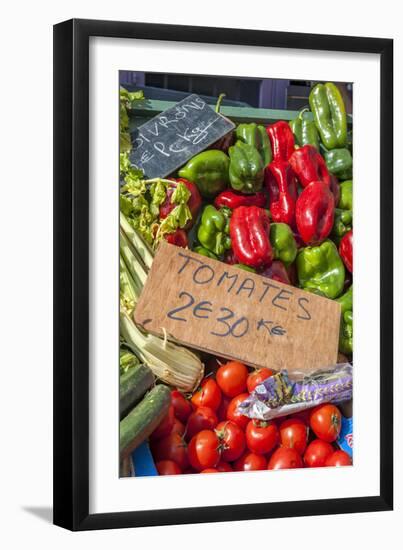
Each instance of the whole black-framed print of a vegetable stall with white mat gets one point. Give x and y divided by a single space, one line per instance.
204 315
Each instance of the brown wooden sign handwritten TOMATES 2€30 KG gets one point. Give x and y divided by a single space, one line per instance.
229 312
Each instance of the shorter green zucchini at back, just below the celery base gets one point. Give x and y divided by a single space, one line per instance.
133 384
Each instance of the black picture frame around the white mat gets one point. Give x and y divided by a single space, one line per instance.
71 273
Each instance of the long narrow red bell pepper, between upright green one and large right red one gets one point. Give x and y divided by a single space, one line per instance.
281 183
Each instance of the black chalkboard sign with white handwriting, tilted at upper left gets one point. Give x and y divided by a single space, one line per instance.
170 139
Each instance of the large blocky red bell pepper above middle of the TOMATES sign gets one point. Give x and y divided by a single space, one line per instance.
250 236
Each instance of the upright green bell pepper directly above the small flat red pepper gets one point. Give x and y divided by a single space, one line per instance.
246 169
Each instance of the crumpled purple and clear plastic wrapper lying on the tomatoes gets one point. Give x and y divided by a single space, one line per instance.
279 396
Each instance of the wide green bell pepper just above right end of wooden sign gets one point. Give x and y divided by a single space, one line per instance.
321 270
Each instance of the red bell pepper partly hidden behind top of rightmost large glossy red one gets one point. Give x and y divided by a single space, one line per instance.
309 165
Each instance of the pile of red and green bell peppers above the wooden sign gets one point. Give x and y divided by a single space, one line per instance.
277 200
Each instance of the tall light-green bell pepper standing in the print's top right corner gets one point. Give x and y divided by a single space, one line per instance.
329 113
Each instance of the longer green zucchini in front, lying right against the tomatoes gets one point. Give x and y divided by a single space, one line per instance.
143 419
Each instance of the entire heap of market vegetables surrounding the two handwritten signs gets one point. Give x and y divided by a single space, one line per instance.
273 199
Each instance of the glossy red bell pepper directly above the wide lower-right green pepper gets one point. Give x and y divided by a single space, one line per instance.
314 213
